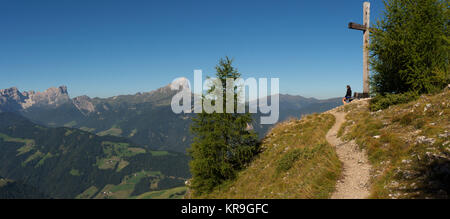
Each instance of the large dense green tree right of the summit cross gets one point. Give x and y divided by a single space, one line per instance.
410 47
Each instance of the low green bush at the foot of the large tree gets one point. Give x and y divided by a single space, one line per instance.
381 102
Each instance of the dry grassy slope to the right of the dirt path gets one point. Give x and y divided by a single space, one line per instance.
408 146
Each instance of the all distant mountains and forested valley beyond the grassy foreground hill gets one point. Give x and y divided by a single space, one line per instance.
54 146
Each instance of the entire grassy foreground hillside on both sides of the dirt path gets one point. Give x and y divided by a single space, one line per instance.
407 145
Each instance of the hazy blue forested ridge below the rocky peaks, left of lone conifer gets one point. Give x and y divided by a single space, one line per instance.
147 124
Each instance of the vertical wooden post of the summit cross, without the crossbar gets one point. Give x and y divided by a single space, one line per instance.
366 48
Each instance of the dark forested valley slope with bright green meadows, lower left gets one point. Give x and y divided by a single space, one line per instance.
69 163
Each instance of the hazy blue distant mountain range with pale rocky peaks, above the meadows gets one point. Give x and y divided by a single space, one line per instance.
145 118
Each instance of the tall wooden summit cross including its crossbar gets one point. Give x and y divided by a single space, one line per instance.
365 28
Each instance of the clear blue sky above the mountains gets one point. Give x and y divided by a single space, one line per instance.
109 47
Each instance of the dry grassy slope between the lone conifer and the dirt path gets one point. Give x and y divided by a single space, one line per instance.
296 162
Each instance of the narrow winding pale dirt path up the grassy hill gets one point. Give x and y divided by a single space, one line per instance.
356 173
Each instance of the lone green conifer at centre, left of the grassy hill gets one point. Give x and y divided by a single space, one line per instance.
222 142
